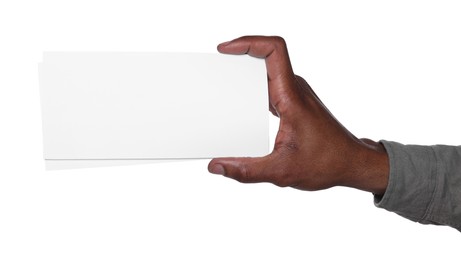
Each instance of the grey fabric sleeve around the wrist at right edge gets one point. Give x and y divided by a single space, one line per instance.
424 183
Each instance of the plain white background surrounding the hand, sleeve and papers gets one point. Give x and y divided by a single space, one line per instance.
386 69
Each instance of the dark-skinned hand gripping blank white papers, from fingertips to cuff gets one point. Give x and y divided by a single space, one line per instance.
312 149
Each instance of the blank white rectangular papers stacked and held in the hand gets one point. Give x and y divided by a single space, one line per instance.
106 108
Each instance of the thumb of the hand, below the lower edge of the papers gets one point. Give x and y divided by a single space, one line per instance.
242 169
